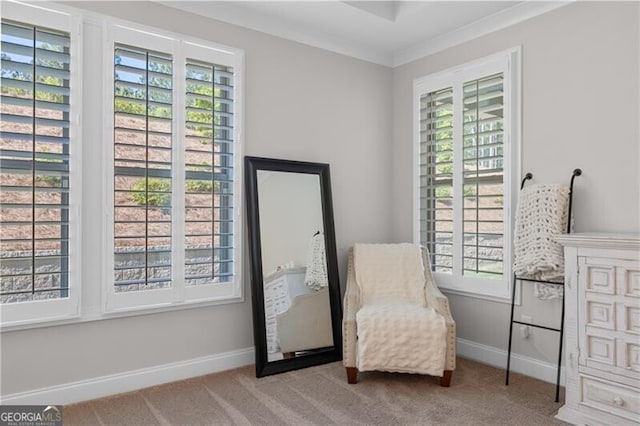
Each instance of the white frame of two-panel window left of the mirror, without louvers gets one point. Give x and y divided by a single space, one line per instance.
181 48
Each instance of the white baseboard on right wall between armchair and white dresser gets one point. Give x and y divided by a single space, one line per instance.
498 358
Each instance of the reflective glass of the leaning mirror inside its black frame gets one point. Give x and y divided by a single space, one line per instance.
294 264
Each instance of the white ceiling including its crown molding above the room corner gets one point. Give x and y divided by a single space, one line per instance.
385 32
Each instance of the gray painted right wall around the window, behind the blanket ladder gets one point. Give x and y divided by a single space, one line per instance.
579 109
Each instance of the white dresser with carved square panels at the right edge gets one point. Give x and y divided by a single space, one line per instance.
602 329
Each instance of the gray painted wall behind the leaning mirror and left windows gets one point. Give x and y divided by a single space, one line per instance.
301 103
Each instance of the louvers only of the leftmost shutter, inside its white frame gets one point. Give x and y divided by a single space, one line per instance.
34 163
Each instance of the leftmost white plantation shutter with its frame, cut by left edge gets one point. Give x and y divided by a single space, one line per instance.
39 165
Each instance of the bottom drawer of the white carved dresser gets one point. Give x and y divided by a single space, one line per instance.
620 400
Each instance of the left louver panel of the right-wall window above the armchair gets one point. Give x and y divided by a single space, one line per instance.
436 177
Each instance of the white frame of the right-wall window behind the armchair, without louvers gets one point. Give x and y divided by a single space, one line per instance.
507 62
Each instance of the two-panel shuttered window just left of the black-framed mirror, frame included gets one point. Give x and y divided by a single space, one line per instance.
175 198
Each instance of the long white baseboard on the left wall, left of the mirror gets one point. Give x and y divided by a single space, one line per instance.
131 380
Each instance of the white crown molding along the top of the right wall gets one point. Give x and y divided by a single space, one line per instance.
492 23
